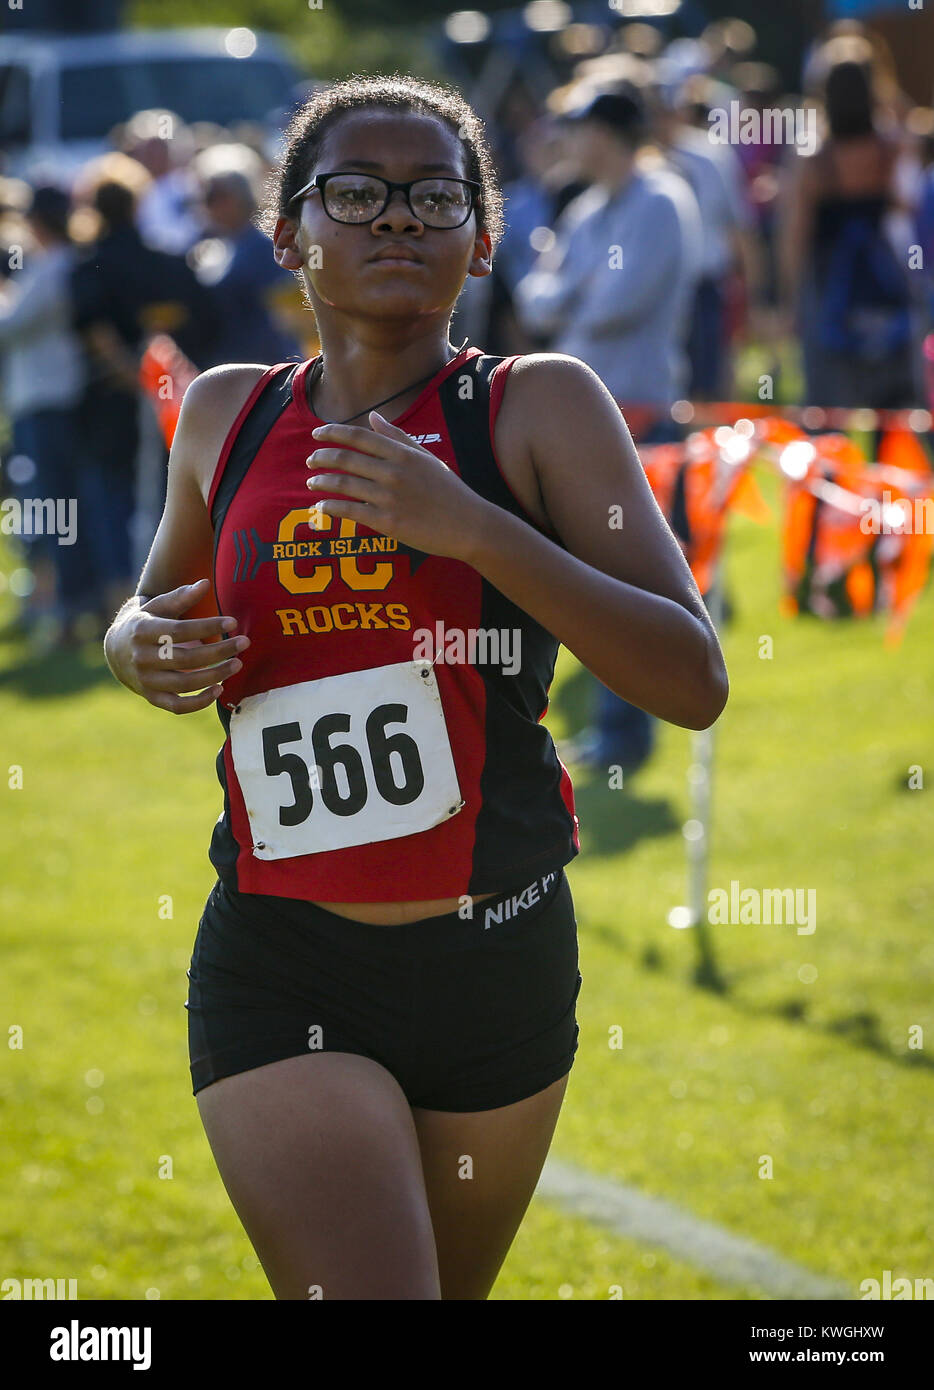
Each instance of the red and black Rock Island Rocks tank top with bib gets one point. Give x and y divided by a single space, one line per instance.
384 737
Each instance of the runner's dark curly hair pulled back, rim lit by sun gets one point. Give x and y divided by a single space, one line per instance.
397 92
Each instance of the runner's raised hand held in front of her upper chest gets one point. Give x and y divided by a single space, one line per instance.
395 487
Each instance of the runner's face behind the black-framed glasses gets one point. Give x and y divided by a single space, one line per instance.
338 263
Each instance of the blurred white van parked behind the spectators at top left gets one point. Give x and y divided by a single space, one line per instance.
60 97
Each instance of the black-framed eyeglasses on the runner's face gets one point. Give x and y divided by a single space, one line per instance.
361 198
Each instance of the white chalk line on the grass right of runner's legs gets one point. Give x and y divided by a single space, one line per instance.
730 1259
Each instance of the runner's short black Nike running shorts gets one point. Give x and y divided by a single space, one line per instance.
468 1014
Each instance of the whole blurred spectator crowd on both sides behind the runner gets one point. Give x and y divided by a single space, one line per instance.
675 219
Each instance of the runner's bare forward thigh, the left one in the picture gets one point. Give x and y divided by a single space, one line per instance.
320 1159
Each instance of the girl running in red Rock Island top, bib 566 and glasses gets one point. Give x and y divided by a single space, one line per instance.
383 989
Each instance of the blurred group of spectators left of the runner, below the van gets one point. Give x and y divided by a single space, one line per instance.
156 237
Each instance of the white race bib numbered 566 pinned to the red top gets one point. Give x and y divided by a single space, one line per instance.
345 761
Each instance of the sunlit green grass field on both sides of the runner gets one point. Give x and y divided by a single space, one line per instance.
811 792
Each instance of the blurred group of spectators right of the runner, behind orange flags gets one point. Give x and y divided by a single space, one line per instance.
696 234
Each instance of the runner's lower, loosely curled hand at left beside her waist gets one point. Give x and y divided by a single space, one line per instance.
161 655
